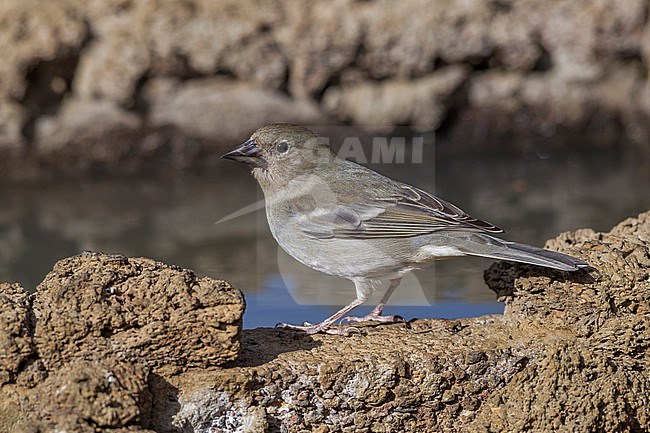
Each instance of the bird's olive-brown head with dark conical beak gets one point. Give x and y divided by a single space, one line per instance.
281 152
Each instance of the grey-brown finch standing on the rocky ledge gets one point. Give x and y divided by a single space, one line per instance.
344 219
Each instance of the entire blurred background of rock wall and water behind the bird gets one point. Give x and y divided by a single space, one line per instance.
533 115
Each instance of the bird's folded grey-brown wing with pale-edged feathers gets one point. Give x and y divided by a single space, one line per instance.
406 212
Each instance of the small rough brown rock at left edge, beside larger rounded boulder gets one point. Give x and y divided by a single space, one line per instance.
16 346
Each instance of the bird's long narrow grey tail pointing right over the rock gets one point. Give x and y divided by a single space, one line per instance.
491 247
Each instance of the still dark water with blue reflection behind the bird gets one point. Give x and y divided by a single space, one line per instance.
173 218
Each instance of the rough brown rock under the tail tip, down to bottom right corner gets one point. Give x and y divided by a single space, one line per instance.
601 360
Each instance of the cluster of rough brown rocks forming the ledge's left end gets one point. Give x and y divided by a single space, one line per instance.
81 353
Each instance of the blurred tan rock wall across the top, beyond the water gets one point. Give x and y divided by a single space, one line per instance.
112 82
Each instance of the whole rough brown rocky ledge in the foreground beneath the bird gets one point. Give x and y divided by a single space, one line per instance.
109 343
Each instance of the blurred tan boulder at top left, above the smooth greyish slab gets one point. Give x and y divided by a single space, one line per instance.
199 38
